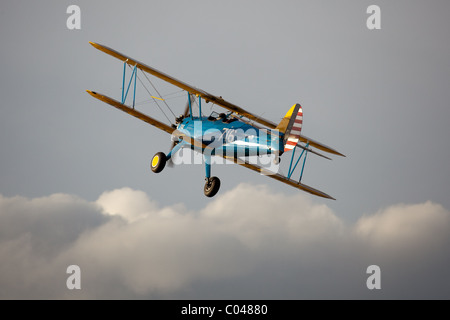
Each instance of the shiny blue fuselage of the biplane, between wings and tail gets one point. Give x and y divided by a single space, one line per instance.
230 136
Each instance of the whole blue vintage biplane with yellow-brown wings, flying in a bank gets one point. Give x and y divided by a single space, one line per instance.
237 135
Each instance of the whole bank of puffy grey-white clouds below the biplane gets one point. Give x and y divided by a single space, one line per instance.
247 243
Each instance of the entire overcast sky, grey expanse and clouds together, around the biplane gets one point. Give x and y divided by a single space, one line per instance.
75 184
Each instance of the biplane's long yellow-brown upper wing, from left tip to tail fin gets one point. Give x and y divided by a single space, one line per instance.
205 95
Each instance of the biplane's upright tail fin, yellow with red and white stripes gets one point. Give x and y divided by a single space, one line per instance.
291 126
